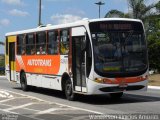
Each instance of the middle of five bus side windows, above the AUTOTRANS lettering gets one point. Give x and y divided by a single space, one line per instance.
41 43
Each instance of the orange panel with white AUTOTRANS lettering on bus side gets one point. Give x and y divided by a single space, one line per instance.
44 64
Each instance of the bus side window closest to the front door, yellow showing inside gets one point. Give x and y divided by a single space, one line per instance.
64 44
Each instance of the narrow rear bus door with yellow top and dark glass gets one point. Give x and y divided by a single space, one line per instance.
12 64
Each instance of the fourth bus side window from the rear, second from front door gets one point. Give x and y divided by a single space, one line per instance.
52 42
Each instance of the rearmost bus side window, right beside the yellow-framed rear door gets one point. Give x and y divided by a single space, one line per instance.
21 49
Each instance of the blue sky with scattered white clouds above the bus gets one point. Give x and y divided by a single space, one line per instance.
18 15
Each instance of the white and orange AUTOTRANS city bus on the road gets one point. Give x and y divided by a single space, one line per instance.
90 57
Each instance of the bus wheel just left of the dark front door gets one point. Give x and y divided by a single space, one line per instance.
69 90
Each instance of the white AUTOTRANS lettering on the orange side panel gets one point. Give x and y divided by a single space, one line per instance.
39 62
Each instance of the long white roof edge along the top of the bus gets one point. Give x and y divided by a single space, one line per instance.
74 24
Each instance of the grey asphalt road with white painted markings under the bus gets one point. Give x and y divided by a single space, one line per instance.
45 104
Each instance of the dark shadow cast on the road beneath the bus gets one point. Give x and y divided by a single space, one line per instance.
97 99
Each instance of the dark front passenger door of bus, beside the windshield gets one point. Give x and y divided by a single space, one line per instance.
79 63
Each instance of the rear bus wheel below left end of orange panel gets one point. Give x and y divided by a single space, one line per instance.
23 81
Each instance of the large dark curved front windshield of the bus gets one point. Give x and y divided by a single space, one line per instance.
119 48
